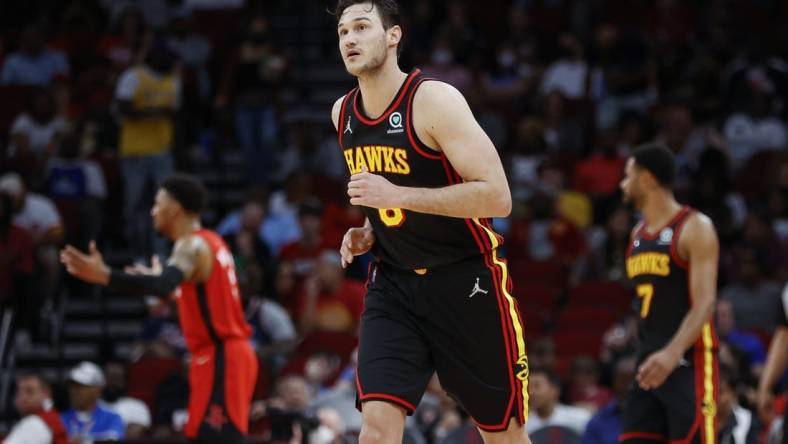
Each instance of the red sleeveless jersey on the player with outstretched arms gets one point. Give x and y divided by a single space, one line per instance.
211 311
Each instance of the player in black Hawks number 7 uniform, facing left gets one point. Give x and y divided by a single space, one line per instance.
672 263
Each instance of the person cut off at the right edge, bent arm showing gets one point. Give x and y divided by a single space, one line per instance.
775 366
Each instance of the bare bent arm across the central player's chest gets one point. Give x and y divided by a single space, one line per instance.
444 120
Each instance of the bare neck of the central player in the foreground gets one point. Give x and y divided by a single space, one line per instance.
378 88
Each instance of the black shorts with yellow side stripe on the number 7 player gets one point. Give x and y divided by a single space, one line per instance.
683 409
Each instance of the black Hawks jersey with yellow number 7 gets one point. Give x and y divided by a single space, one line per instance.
661 283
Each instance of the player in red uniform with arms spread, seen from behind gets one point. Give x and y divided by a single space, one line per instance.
201 273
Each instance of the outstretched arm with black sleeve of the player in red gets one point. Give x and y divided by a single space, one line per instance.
186 263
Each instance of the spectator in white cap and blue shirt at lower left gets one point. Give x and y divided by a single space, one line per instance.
87 420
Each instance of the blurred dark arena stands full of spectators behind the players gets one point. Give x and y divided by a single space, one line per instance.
239 92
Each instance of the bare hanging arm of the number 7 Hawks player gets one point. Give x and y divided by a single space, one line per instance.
699 244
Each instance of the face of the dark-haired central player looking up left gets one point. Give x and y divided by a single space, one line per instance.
362 39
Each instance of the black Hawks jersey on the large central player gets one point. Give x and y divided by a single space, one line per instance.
390 147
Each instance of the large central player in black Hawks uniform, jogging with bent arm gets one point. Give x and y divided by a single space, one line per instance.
439 297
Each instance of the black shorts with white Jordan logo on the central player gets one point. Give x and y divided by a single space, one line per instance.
458 320
